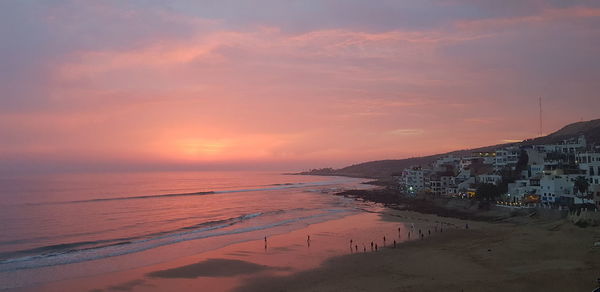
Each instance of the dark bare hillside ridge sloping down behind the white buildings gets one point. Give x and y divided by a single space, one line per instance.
387 168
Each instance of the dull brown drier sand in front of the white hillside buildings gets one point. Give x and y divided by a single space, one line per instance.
531 256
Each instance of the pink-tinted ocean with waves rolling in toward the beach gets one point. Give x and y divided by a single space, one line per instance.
54 227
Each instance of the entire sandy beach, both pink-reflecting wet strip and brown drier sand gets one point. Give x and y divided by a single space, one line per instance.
533 255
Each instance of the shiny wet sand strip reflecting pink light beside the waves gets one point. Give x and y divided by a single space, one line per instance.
234 266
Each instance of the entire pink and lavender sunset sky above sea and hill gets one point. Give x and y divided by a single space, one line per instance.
92 85
